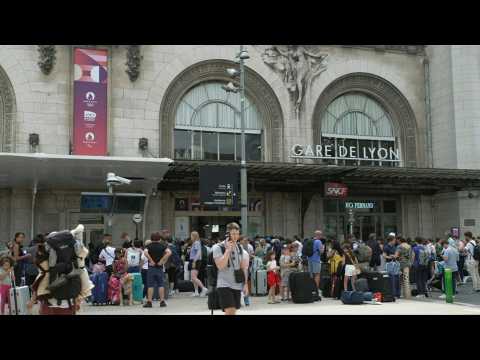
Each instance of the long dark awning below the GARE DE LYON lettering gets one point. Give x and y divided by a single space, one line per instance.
310 177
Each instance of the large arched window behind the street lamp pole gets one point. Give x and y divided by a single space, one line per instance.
208 125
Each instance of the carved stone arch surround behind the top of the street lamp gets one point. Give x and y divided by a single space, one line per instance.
257 89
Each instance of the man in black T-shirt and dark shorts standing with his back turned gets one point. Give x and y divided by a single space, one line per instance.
157 254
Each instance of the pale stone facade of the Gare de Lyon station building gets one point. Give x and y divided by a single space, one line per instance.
428 92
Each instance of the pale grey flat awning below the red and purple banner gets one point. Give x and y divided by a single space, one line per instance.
69 172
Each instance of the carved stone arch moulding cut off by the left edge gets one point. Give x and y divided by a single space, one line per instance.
7 114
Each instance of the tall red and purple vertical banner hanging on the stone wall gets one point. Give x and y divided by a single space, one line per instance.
90 102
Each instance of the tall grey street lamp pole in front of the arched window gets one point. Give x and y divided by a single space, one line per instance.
234 73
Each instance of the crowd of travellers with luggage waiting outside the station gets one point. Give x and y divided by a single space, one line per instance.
160 259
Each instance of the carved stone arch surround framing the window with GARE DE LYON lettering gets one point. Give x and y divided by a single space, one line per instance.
387 95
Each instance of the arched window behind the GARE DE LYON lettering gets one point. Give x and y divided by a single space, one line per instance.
360 131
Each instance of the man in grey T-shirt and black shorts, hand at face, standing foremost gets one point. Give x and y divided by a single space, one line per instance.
232 263
